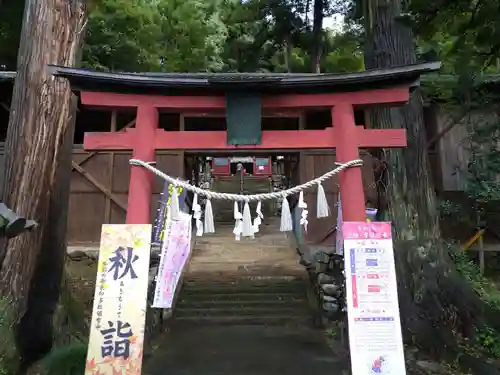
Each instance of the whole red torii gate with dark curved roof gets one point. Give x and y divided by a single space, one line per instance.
344 135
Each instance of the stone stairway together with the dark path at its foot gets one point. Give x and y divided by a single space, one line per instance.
243 309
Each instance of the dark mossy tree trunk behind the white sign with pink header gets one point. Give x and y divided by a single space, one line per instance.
436 304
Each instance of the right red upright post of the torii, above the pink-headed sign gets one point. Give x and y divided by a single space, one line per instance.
350 180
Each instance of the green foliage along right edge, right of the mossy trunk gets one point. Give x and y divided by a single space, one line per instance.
471 100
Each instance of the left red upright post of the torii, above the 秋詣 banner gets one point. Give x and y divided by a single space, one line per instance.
141 180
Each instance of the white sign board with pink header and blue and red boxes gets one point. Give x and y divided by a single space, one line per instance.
375 338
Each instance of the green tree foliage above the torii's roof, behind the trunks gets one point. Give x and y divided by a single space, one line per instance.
200 35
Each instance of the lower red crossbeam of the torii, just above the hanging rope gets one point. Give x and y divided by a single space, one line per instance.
272 139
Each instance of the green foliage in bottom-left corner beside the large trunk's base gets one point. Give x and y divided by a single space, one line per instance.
9 359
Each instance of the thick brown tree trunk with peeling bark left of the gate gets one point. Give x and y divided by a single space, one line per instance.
37 167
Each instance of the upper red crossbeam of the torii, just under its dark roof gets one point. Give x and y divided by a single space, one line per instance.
397 95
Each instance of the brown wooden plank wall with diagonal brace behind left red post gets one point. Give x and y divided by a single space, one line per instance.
99 190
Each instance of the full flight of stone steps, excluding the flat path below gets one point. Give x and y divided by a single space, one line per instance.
249 282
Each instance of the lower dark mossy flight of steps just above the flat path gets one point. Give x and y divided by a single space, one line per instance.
266 301
